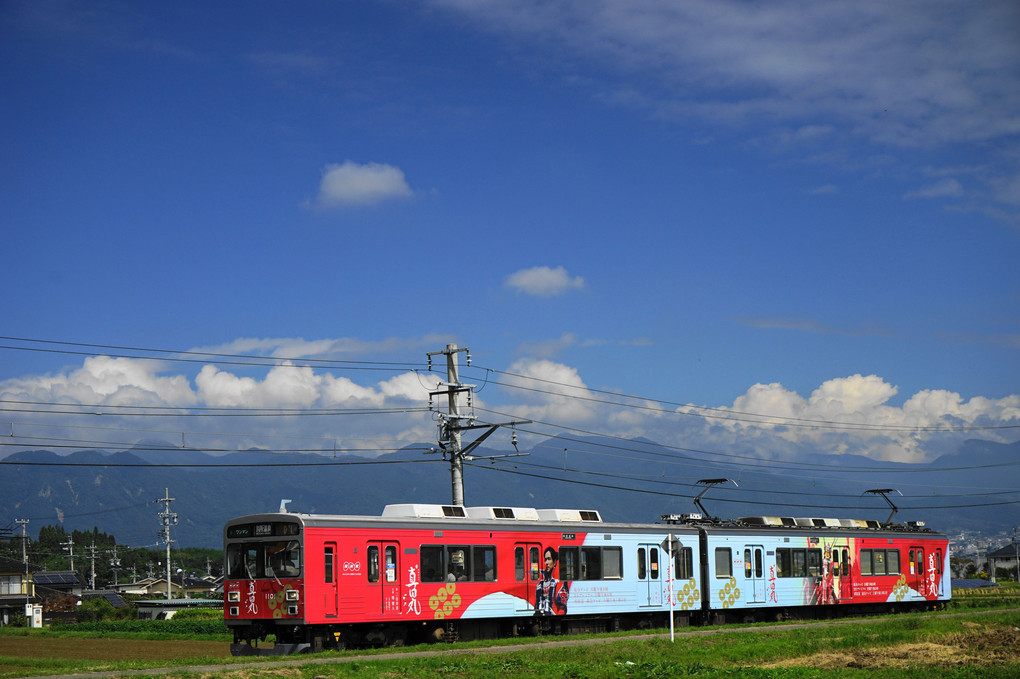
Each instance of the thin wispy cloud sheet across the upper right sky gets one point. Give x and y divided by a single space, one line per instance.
901 73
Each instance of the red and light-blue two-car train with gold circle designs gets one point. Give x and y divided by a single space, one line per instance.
447 572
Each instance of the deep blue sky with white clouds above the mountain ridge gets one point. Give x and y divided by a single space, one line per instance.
771 229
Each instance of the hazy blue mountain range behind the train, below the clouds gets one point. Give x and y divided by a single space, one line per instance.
117 492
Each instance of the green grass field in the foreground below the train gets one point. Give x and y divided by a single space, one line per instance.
962 644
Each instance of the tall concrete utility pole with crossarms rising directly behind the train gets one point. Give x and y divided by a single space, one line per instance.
452 424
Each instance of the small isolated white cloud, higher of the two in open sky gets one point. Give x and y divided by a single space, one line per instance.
352 185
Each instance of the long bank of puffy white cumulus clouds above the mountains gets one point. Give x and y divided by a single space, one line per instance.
856 414
